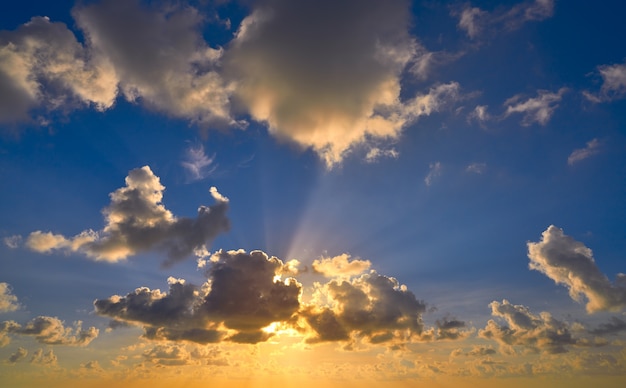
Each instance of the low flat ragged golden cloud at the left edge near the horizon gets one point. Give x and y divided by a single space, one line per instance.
51 331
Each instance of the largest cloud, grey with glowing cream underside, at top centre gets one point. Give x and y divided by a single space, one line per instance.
328 88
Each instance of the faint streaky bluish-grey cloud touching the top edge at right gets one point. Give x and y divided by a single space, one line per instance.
475 22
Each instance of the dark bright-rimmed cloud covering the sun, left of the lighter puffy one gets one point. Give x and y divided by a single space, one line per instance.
243 295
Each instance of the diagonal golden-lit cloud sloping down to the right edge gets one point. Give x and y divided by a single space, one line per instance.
571 263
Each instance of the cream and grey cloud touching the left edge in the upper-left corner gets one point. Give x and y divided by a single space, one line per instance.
43 65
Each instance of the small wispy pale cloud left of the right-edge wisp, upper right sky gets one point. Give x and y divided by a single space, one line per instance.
535 110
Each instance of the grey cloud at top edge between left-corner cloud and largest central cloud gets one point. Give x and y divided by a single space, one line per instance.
159 57
